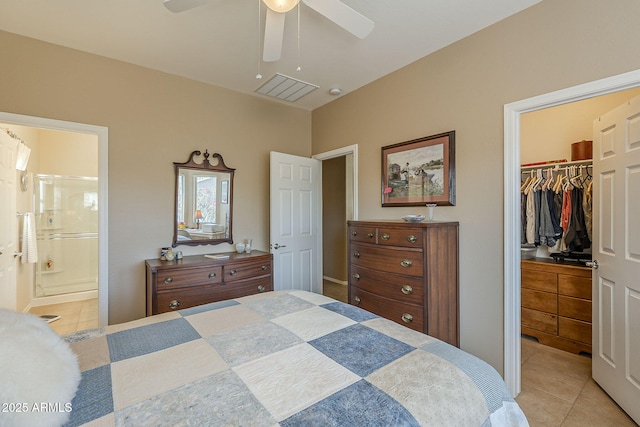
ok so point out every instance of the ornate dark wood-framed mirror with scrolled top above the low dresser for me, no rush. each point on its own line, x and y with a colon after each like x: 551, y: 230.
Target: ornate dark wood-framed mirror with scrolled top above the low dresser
x: 204, y: 201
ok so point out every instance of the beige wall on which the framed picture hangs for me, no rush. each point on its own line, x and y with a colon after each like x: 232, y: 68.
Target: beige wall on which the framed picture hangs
x: 553, y: 45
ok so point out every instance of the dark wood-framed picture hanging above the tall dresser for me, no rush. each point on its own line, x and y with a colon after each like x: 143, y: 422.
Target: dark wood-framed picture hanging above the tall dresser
x: 420, y: 171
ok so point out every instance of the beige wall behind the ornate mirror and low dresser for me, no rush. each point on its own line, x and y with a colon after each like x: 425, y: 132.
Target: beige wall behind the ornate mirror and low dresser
x: 154, y: 119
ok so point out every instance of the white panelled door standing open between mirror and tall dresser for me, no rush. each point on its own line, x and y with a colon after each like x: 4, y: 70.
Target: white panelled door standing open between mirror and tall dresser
x: 295, y: 225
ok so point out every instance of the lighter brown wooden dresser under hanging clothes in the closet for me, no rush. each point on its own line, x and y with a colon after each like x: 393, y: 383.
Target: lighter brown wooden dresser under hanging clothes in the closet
x: 556, y: 304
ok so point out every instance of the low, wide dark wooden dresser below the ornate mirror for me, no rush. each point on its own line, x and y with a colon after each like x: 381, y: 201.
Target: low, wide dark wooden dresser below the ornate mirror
x: 196, y: 280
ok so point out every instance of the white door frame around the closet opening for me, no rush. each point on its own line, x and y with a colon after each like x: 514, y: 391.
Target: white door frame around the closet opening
x: 512, y: 113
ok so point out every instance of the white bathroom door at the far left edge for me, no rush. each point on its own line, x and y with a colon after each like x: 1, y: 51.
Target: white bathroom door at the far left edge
x: 8, y: 221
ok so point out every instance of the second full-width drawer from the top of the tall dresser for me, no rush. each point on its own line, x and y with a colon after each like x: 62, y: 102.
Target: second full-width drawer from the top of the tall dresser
x: 402, y: 288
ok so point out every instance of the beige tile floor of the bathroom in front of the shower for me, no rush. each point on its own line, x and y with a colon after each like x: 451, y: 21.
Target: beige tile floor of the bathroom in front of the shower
x: 75, y: 316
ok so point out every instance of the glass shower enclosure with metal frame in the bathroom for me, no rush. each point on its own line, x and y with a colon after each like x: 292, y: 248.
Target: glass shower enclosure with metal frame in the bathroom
x: 66, y: 211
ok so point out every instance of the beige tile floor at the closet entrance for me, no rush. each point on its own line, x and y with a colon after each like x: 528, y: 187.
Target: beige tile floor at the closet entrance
x: 557, y: 390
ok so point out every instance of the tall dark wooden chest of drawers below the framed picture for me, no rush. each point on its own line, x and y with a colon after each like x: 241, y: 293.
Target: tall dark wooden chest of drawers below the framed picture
x: 408, y: 273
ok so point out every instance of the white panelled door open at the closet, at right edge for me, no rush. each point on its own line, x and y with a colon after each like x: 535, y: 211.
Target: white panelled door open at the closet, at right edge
x: 616, y: 231
